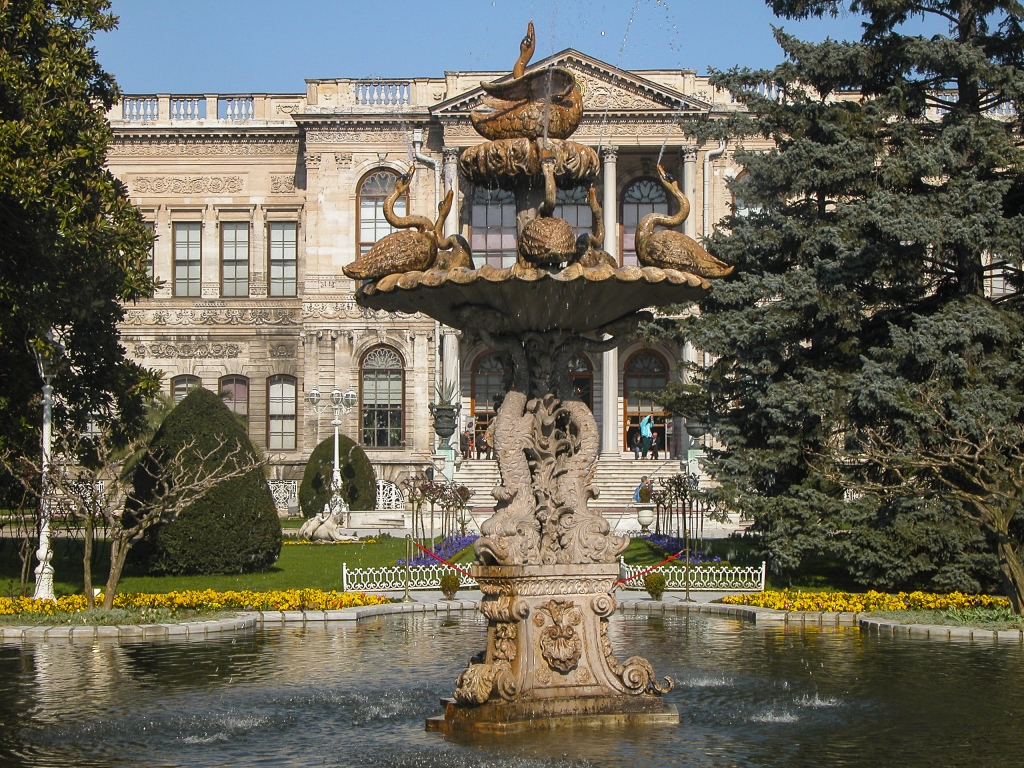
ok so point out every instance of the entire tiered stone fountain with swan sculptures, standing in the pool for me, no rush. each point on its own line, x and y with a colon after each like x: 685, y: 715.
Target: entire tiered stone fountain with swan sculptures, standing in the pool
x: 546, y: 564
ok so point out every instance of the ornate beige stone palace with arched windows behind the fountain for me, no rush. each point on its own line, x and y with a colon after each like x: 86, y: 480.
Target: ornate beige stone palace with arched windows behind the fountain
x: 258, y: 201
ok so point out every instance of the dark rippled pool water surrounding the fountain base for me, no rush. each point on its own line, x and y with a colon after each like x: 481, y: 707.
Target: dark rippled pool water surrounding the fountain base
x: 358, y: 696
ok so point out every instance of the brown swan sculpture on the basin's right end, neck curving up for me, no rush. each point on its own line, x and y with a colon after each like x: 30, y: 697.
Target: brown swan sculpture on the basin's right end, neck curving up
x: 669, y: 249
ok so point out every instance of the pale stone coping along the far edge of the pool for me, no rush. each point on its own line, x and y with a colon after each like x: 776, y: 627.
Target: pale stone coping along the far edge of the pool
x: 247, y: 621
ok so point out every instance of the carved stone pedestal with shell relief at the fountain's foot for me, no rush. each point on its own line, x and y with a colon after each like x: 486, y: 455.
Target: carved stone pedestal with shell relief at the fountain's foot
x: 549, y: 661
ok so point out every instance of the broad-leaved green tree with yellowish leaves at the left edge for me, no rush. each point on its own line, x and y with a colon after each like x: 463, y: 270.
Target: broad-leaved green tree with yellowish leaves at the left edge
x: 73, y: 248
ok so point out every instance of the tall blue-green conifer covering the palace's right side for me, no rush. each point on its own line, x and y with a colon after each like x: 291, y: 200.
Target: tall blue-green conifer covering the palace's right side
x: 866, y: 257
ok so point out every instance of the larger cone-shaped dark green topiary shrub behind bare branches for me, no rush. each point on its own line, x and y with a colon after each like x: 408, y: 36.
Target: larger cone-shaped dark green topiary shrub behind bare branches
x: 234, y: 528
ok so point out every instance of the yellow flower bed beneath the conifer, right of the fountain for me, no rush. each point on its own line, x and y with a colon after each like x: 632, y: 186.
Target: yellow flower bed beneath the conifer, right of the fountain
x: 860, y: 603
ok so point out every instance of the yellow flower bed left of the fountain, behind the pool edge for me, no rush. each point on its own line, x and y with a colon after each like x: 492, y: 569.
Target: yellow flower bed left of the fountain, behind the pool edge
x: 205, y: 600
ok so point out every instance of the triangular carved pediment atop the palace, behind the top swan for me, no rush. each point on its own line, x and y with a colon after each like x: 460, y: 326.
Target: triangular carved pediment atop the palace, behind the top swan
x: 606, y: 89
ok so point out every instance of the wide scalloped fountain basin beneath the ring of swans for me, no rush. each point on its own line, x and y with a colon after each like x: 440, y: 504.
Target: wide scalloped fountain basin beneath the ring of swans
x: 578, y: 300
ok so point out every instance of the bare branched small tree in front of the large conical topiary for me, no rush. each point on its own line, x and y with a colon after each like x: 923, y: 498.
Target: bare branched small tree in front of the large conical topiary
x: 92, y: 478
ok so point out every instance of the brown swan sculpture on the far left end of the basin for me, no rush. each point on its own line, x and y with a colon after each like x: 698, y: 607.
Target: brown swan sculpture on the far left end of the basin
x: 415, y: 248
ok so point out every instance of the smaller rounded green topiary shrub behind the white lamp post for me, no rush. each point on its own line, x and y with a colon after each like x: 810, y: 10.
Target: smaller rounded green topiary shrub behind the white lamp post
x: 359, y: 485
